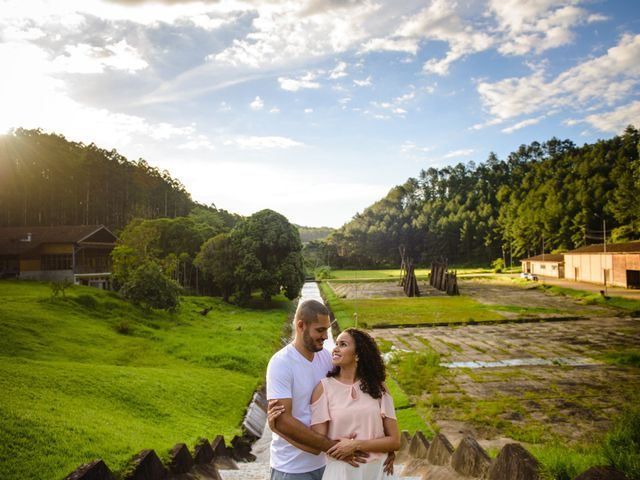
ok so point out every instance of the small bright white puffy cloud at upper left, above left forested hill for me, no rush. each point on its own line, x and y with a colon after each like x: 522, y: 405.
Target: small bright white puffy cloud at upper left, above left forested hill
x: 84, y: 58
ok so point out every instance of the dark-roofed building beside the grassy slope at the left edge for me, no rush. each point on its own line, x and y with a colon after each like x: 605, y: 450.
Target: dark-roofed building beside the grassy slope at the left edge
x: 78, y: 253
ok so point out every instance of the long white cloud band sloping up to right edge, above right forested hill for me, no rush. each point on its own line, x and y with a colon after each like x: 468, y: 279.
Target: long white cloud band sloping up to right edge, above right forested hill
x: 596, y: 83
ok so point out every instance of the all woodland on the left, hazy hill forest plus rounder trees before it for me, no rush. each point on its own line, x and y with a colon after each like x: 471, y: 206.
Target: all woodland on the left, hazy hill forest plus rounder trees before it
x: 168, y: 244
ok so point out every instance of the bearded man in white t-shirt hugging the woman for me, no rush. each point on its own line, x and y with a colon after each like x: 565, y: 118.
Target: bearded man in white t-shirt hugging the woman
x: 292, y: 374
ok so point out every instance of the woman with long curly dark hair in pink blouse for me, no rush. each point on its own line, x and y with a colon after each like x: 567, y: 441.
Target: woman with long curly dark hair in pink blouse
x: 353, y: 405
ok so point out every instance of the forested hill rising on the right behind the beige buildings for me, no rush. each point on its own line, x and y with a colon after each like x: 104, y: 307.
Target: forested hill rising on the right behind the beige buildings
x: 554, y: 193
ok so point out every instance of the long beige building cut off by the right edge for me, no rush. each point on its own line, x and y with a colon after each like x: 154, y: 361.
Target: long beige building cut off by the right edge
x: 616, y: 264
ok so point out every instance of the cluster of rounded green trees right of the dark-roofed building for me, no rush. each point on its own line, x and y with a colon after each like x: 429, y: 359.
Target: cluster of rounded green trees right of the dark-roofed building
x: 157, y: 259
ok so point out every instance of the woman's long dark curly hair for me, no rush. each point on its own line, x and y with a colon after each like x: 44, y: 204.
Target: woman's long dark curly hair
x: 370, y: 367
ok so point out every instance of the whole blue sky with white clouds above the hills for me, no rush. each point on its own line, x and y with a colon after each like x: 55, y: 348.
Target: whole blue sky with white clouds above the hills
x: 317, y: 108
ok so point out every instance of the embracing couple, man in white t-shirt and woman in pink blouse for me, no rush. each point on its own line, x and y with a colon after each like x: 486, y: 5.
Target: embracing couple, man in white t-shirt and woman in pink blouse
x: 331, y: 413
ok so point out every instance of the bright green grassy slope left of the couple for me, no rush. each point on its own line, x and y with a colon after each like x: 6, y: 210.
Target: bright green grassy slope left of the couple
x: 75, y: 389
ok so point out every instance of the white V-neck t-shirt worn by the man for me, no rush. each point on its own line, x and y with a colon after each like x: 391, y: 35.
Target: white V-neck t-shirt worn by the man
x: 291, y: 375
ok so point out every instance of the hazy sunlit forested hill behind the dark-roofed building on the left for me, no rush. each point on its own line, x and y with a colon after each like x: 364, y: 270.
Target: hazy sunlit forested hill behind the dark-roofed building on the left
x: 47, y: 180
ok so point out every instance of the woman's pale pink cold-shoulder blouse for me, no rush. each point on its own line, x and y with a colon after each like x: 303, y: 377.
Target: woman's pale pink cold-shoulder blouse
x: 351, y: 411
